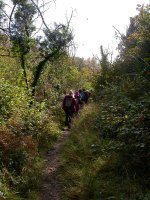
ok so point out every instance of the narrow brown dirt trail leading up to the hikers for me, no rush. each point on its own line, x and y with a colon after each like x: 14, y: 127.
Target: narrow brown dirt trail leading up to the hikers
x: 50, y: 185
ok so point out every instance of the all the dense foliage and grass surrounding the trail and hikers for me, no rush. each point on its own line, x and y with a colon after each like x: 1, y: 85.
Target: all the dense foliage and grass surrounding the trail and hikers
x: 108, y: 150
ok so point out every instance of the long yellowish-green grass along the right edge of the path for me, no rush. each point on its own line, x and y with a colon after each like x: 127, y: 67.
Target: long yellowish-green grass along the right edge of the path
x: 89, y: 171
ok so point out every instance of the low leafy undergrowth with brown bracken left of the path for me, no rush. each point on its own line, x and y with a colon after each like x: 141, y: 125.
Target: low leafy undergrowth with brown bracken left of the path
x: 26, y: 130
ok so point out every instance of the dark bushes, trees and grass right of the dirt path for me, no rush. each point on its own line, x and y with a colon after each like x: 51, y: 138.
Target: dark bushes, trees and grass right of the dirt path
x: 109, y: 147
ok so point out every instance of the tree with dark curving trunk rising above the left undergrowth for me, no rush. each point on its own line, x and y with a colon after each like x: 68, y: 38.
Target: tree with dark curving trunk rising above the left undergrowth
x: 21, y: 32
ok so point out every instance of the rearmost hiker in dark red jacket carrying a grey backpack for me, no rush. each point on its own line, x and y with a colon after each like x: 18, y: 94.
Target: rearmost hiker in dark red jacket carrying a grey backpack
x: 69, y: 106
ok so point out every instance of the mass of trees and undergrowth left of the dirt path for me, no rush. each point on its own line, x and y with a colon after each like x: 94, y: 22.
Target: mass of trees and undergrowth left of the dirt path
x: 35, y: 73
